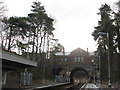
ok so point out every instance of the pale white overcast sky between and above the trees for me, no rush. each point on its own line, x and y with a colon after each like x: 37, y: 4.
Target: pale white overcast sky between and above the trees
x: 75, y: 19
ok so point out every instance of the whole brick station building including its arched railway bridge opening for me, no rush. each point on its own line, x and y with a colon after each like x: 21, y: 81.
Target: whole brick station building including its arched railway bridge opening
x: 76, y: 65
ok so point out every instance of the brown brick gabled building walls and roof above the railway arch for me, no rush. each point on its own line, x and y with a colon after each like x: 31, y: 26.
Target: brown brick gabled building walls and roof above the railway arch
x: 78, y: 58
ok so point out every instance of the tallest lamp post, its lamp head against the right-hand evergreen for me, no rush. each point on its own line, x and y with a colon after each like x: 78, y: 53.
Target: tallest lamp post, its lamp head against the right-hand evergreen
x: 109, y: 76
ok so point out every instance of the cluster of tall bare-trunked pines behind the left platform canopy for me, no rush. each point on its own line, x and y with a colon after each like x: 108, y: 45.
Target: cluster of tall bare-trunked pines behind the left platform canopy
x: 32, y: 34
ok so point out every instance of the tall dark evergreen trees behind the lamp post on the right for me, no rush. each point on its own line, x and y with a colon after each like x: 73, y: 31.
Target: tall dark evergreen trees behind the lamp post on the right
x: 107, y: 25
